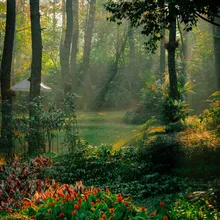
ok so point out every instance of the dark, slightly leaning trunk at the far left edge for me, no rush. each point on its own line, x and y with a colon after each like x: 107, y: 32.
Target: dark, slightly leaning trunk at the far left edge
x: 6, y: 93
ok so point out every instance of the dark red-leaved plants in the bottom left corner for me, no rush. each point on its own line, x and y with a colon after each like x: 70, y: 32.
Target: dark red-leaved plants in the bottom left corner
x: 19, y: 181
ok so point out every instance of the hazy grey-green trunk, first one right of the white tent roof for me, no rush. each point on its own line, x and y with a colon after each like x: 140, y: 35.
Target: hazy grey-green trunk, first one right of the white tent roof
x: 66, y: 49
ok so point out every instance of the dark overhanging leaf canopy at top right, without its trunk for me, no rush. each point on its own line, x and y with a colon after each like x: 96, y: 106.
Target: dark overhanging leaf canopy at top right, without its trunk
x: 153, y: 16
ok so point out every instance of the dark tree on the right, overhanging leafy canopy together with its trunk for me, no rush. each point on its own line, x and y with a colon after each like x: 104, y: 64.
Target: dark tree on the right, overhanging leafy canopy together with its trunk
x: 153, y: 17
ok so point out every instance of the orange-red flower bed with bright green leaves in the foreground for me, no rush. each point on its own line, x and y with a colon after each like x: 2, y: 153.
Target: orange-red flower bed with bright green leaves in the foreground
x: 70, y: 202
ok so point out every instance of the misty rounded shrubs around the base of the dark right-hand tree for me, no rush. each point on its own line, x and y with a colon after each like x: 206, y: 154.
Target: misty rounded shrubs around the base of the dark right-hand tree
x: 156, y: 102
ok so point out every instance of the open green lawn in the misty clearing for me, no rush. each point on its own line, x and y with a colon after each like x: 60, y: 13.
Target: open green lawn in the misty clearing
x: 107, y: 128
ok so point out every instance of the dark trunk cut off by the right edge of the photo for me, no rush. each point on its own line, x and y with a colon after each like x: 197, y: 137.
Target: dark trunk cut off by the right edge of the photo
x: 216, y: 35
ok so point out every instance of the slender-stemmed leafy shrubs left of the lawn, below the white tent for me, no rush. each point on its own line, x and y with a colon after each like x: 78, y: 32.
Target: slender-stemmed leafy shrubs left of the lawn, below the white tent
x: 52, y: 119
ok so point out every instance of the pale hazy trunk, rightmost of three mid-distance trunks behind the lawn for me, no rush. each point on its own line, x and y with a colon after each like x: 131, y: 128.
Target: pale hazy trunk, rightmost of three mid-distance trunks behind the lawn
x: 86, y: 54
